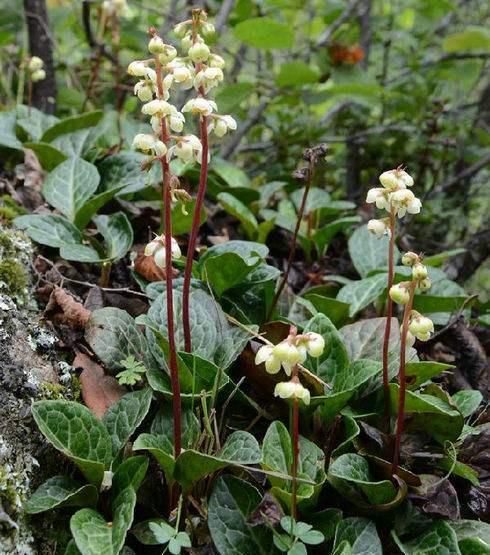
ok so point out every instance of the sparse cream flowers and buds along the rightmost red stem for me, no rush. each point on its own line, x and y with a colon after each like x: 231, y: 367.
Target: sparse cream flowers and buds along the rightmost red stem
x: 419, y: 326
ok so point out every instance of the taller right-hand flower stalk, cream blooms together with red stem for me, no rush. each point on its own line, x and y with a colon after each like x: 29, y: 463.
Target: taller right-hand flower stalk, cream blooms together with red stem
x: 397, y: 200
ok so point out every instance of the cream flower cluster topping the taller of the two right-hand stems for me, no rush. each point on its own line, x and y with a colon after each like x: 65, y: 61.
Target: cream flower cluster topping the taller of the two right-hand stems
x: 394, y: 196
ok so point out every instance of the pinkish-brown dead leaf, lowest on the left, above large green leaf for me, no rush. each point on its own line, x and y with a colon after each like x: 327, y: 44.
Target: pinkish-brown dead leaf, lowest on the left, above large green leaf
x: 99, y: 391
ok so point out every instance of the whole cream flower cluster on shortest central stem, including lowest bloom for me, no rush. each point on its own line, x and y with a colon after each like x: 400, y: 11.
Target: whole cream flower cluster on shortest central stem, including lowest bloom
x: 288, y: 354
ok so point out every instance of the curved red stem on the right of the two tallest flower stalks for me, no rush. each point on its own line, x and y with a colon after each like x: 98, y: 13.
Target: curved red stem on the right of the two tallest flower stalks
x: 196, y: 218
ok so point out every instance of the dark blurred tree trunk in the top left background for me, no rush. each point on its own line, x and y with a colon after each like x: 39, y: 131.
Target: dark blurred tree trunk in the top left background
x: 41, y: 44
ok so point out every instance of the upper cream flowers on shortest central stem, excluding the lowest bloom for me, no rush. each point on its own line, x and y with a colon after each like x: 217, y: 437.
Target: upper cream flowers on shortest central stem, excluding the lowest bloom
x: 290, y: 352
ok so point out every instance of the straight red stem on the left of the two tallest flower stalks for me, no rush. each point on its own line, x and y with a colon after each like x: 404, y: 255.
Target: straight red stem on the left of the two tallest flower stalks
x: 167, y: 203
